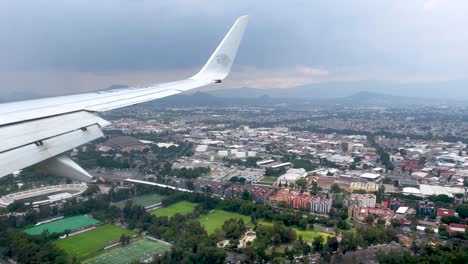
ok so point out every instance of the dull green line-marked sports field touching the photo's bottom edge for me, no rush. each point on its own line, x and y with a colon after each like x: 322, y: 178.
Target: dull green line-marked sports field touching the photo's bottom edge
x: 139, y: 250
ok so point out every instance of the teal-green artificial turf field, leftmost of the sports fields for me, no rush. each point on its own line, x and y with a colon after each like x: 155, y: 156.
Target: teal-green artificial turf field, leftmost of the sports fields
x: 60, y: 226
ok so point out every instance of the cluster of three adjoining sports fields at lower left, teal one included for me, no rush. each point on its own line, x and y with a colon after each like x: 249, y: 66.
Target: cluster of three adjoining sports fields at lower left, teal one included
x: 91, y: 241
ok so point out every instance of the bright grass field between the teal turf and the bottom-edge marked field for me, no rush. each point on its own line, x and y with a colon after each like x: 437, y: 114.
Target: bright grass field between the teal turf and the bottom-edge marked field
x: 88, y: 243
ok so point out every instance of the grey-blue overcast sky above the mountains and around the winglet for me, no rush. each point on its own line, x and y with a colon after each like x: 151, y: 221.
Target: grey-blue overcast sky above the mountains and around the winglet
x: 51, y: 47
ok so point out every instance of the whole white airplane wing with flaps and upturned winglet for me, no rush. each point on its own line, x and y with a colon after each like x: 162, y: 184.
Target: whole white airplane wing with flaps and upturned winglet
x: 37, y: 132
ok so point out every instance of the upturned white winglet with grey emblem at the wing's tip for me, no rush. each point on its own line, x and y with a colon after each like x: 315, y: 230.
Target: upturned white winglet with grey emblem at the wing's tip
x: 219, y: 64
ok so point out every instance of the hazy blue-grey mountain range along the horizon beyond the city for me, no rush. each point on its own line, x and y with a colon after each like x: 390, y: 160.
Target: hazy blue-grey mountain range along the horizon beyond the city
x: 356, y: 92
